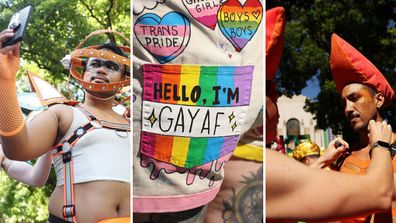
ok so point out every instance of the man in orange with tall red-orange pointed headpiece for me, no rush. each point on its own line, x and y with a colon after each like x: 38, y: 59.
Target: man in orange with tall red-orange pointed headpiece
x: 365, y: 93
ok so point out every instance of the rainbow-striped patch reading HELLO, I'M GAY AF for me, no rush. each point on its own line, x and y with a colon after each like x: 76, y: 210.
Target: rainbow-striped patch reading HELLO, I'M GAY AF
x: 193, y: 114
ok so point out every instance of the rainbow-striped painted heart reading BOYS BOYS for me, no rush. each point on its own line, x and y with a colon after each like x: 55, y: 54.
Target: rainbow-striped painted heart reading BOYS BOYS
x: 239, y: 23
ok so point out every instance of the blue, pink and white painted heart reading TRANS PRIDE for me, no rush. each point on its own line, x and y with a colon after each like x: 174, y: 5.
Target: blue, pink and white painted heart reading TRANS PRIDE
x: 165, y: 38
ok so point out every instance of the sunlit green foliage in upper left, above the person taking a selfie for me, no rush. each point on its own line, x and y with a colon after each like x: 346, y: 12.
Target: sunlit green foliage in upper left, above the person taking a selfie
x: 57, y: 26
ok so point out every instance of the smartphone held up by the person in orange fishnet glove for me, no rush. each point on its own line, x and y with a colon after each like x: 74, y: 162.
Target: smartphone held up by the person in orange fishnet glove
x: 18, y: 23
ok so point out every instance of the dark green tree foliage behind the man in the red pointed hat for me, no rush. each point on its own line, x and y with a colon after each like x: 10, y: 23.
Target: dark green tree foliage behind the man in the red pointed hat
x: 367, y: 25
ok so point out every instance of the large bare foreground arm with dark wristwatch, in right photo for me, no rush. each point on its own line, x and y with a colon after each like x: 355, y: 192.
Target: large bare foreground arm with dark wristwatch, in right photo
x: 314, y: 194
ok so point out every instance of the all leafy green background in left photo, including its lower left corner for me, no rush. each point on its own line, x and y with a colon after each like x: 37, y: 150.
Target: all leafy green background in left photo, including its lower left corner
x: 55, y: 29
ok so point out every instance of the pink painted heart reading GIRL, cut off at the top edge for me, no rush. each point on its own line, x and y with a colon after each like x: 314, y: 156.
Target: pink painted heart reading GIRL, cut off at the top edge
x: 204, y: 11
